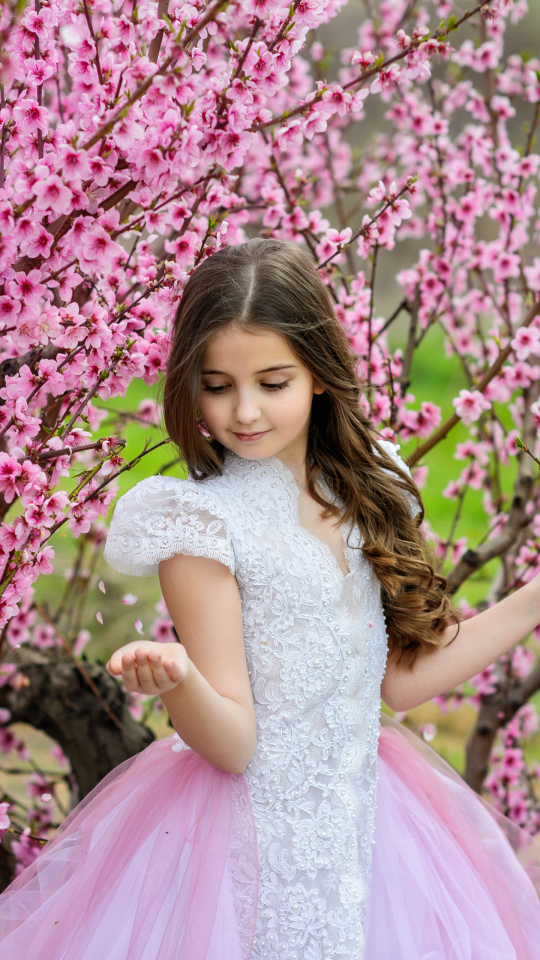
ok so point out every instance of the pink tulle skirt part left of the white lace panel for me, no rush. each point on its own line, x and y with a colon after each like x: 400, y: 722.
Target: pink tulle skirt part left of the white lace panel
x: 158, y: 862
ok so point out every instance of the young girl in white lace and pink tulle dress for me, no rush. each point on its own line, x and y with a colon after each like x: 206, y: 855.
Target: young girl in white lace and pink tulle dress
x: 293, y: 566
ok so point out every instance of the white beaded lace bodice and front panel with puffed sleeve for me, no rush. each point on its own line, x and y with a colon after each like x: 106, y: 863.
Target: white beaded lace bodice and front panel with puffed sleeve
x: 316, y: 650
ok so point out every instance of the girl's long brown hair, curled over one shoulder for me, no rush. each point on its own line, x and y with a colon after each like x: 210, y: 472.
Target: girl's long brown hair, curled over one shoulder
x: 274, y: 284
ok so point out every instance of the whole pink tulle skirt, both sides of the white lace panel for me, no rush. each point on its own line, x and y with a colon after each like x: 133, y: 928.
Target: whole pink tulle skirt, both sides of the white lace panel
x: 159, y: 862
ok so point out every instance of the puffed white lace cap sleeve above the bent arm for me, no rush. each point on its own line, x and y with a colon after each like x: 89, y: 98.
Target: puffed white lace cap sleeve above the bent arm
x: 162, y: 516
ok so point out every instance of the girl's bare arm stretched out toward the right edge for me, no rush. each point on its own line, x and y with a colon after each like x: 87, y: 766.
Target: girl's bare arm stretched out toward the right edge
x: 480, y: 641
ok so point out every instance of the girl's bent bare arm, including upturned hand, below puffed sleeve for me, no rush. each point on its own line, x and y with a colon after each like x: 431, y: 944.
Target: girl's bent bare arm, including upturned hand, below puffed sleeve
x: 204, y: 684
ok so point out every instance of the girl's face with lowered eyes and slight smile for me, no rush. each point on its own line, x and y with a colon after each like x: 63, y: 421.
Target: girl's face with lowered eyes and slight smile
x: 256, y: 395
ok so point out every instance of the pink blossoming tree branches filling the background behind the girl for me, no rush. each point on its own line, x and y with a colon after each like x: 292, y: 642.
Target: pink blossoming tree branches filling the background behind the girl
x: 137, y: 139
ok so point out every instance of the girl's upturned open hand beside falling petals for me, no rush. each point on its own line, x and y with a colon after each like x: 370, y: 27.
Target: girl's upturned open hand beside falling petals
x: 151, y: 668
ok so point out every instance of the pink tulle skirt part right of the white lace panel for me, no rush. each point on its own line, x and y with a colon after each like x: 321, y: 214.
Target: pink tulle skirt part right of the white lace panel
x: 446, y: 883
